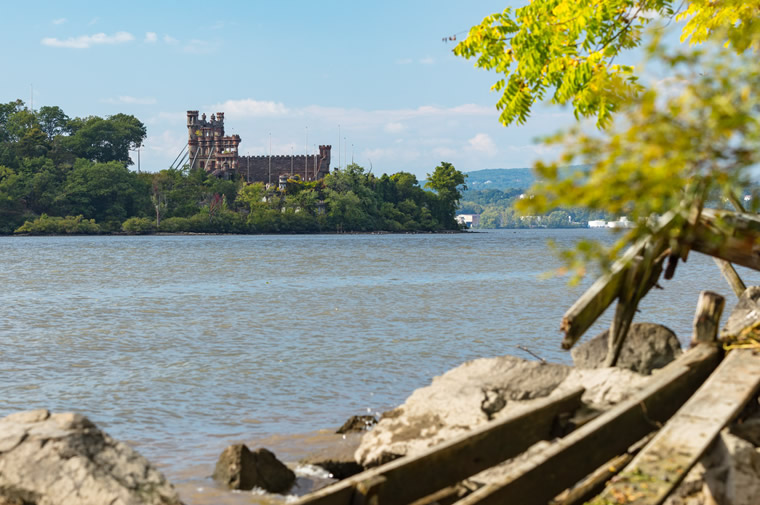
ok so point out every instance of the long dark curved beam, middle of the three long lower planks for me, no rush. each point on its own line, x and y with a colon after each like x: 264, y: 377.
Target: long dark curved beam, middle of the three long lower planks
x: 571, y: 458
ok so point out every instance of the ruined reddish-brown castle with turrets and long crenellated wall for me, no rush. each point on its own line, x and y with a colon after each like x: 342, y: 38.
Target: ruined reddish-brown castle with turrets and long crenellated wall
x: 216, y: 153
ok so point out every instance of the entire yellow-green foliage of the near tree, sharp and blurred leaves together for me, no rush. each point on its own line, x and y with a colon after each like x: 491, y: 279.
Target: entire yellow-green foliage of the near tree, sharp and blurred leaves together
x: 663, y: 150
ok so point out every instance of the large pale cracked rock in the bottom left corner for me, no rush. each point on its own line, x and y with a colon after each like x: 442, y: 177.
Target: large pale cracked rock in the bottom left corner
x: 63, y: 459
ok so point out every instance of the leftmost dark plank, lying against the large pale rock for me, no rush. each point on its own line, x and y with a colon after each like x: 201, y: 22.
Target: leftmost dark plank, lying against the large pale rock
x: 407, y: 479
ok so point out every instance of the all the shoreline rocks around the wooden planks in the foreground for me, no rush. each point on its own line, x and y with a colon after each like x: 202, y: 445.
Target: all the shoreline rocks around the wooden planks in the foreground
x: 51, y: 459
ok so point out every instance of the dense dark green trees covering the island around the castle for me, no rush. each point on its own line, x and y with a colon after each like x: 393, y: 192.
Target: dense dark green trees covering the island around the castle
x: 71, y: 175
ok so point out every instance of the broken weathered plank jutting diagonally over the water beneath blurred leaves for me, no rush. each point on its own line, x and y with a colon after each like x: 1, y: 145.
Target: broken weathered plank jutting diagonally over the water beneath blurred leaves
x: 582, y: 314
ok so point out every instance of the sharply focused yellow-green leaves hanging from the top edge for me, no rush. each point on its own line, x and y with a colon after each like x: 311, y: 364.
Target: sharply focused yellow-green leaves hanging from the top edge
x: 564, y: 50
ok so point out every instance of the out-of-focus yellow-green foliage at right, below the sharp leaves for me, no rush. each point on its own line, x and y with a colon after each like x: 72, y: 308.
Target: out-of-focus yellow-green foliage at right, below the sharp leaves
x: 675, y: 147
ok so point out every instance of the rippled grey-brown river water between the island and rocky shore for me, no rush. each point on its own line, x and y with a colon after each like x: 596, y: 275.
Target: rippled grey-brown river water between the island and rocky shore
x: 182, y: 345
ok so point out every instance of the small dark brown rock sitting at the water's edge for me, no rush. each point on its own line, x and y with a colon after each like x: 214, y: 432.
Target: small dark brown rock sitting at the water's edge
x: 240, y: 468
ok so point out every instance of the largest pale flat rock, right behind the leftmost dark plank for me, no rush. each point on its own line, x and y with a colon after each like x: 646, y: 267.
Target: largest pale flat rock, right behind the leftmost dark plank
x: 478, y: 391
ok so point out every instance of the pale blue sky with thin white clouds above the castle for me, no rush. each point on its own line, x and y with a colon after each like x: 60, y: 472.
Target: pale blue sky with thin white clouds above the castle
x: 374, y: 78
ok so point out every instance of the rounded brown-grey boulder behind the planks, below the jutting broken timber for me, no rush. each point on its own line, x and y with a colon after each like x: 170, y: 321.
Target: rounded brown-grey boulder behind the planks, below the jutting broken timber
x: 648, y: 346
